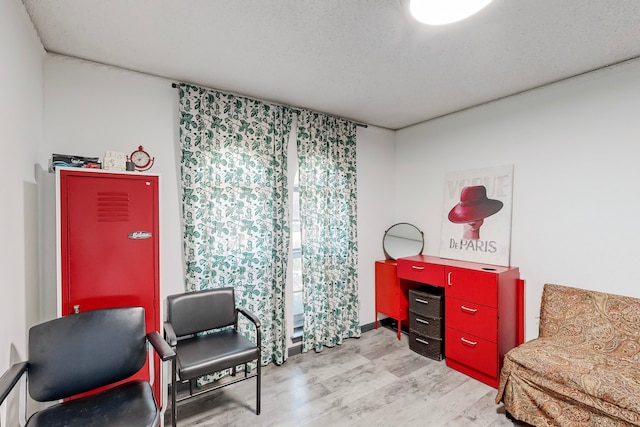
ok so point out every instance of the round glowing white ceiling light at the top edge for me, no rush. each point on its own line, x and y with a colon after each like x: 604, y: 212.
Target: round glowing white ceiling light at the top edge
x: 441, y: 12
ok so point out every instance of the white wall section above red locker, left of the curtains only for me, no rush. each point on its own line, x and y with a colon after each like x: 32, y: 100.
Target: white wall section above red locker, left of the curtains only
x: 91, y: 108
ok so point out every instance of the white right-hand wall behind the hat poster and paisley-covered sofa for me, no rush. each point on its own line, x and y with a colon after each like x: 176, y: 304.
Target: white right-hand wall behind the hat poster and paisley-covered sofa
x: 575, y: 148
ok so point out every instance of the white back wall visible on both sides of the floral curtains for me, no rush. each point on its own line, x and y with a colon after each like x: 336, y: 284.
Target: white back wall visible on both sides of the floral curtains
x: 90, y: 108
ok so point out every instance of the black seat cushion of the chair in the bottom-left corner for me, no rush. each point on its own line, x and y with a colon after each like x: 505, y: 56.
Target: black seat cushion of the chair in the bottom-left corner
x: 129, y: 404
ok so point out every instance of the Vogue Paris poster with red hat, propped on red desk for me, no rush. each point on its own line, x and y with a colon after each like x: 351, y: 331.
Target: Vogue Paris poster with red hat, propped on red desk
x: 476, y: 223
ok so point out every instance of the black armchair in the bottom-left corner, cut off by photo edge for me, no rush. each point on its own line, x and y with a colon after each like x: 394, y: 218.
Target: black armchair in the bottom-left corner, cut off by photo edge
x: 81, y: 352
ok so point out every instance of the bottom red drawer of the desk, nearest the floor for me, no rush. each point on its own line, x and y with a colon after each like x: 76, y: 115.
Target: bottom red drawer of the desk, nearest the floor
x: 472, y: 351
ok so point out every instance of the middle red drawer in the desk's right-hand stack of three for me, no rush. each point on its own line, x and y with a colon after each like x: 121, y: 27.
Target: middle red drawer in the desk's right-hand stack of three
x: 473, y: 318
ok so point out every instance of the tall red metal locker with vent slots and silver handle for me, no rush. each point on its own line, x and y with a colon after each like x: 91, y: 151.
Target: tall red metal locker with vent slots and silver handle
x: 109, y: 245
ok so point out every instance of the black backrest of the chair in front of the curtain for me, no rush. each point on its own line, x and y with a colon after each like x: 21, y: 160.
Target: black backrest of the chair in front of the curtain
x: 199, y: 311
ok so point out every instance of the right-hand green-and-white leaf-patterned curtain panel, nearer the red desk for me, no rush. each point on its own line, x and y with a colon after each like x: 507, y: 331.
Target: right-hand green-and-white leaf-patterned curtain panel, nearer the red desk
x: 328, y: 198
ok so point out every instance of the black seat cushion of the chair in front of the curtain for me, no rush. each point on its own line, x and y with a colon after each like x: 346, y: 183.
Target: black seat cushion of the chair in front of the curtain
x: 196, y: 358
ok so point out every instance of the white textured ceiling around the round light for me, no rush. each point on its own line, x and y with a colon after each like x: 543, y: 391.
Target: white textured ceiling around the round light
x: 366, y: 60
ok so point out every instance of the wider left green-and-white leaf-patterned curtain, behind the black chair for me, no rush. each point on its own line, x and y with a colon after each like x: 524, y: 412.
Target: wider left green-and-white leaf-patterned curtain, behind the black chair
x: 235, y: 205
